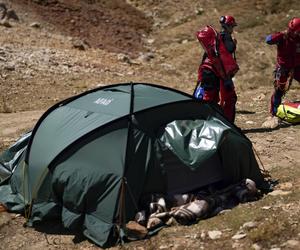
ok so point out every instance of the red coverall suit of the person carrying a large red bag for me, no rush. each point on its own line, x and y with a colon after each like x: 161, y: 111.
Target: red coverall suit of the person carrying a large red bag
x: 217, y: 89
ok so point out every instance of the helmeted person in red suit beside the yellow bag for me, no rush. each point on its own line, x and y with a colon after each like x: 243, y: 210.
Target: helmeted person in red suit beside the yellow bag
x: 287, y: 65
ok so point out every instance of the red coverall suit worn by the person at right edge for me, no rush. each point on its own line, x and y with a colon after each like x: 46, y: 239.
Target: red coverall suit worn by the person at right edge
x: 288, y: 65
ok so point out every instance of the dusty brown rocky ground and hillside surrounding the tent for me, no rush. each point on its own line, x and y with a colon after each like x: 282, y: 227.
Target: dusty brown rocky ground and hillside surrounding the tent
x: 59, y: 48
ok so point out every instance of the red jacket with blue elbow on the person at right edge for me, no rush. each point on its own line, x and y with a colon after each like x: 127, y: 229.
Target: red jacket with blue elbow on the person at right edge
x: 288, y: 49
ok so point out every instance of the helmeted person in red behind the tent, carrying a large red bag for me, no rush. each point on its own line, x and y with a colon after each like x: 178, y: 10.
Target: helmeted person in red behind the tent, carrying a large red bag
x: 213, y: 83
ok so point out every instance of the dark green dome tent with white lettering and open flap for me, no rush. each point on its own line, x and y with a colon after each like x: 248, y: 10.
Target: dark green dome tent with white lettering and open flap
x: 90, y: 158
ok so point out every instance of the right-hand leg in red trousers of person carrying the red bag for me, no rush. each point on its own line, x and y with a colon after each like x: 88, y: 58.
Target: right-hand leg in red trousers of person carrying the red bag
x: 228, y: 100
